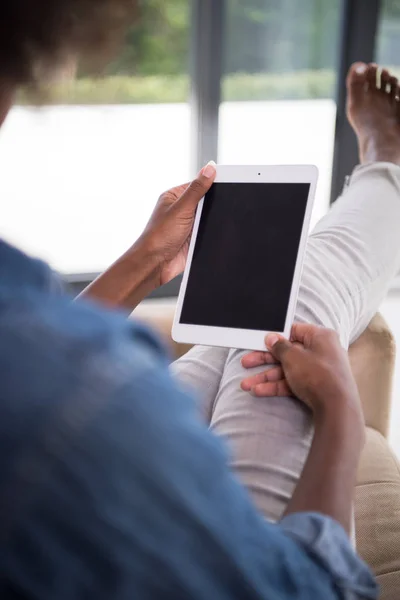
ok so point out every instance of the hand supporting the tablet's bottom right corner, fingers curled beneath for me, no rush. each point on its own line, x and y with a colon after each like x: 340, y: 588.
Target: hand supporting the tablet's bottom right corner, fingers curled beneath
x: 315, y: 367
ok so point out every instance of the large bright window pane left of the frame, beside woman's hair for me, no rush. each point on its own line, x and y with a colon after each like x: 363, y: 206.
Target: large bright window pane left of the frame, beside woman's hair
x: 80, y: 178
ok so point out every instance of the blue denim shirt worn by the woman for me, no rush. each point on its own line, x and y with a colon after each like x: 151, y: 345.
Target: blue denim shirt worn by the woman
x: 111, y: 488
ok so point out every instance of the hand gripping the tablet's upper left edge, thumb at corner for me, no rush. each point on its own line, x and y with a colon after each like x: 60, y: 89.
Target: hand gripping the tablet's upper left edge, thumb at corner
x: 167, y: 235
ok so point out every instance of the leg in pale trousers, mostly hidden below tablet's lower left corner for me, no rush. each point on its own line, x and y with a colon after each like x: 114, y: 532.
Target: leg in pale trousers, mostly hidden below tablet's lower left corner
x: 201, y: 369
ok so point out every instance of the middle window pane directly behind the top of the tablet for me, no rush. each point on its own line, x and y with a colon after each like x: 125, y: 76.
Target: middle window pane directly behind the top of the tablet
x: 279, y: 85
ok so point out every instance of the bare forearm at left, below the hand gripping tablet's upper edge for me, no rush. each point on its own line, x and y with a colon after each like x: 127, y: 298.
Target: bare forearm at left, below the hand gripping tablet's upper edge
x: 127, y: 282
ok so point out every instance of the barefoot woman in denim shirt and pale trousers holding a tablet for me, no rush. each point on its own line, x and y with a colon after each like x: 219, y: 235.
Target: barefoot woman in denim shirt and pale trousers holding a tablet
x: 109, y: 485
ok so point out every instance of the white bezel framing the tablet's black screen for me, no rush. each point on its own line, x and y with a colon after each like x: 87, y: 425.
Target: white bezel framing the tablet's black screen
x: 245, y: 338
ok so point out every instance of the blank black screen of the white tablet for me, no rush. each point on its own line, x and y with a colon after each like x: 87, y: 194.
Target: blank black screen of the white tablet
x: 245, y: 255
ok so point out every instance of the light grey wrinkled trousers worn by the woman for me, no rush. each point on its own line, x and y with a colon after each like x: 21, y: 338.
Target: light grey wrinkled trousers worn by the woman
x: 352, y: 257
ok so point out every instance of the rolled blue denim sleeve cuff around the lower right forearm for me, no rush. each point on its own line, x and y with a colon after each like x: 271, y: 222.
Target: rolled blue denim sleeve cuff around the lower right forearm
x: 325, y: 540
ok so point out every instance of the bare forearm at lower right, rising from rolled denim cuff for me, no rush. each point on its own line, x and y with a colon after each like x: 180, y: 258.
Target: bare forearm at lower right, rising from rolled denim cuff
x: 329, y: 477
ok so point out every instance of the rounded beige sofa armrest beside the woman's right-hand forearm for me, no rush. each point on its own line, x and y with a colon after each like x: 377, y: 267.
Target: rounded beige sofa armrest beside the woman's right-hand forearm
x: 372, y: 359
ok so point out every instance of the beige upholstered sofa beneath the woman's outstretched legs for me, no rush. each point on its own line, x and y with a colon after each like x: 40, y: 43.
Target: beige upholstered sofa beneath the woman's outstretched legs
x: 377, y: 501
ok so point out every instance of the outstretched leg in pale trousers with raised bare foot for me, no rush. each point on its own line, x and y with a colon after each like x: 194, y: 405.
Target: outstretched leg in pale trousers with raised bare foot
x: 352, y: 257
